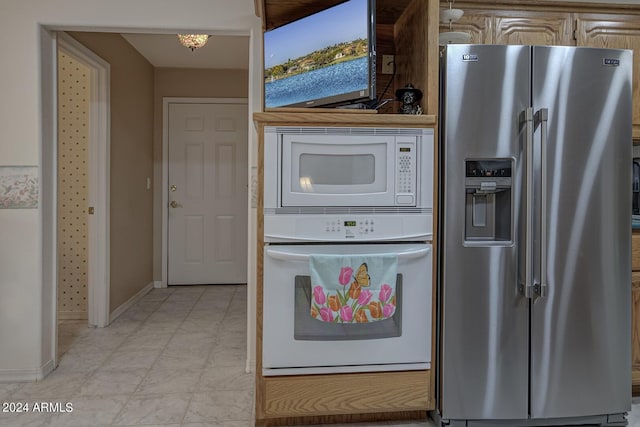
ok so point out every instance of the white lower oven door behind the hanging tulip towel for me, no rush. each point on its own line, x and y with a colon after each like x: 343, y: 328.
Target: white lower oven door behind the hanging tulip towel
x: 293, y: 342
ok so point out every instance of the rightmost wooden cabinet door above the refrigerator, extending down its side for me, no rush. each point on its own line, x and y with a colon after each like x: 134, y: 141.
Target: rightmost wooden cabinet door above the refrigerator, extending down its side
x: 617, y: 32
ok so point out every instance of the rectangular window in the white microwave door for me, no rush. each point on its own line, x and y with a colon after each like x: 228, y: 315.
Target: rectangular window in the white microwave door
x: 336, y: 169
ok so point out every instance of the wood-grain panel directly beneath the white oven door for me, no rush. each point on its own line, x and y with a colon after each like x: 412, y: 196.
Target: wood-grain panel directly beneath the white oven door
x: 345, y: 394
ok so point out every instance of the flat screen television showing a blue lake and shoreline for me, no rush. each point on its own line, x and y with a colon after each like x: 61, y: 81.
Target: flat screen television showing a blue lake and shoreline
x: 327, y: 58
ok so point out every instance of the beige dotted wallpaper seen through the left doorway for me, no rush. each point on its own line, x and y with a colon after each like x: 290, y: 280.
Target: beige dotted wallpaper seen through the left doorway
x: 73, y: 138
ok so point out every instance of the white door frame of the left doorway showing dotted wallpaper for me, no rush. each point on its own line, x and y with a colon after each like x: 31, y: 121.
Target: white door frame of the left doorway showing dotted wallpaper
x: 99, y: 163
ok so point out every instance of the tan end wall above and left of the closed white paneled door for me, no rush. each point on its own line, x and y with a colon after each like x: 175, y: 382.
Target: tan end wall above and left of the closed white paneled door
x: 184, y: 83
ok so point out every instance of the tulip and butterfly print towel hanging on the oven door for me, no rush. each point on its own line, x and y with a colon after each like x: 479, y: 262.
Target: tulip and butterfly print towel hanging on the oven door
x: 353, y: 289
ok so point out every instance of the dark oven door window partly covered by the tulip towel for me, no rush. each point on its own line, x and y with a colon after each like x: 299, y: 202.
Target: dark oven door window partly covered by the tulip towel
x: 306, y: 328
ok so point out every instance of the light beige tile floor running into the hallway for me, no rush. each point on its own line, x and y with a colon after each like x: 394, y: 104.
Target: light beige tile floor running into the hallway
x: 177, y: 358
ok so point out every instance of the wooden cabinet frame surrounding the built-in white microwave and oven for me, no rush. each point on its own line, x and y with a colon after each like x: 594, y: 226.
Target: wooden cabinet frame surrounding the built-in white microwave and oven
x: 327, y: 398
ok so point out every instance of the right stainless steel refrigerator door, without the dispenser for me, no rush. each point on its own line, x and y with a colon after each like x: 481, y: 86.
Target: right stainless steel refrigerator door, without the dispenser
x: 581, y: 351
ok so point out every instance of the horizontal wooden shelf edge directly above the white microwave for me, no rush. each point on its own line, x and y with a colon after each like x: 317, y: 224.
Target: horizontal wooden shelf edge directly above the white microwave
x: 313, y: 118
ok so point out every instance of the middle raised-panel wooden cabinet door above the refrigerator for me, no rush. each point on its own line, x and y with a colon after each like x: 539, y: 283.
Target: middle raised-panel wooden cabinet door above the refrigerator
x: 533, y: 28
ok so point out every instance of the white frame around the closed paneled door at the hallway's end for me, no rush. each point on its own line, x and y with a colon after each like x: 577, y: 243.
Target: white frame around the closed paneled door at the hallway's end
x: 165, y: 168
